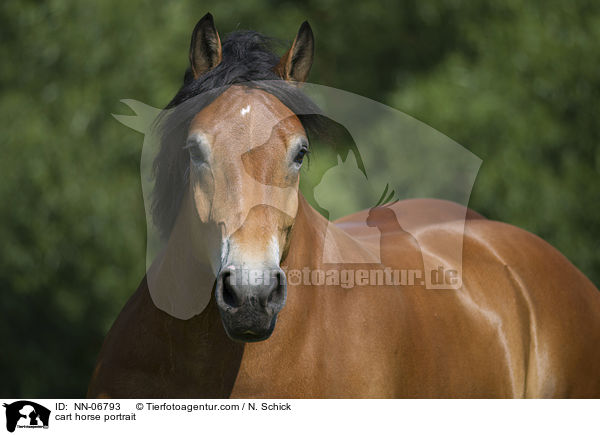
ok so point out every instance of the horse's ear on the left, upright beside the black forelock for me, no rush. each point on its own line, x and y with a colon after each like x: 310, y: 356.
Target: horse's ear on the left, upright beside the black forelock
x: 205, y: 48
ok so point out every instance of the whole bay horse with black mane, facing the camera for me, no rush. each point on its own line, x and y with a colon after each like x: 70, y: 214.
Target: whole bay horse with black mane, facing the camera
x: 524, y: 323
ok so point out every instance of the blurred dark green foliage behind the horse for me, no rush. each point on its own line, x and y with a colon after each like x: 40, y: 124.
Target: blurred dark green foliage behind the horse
x: 516, y: 82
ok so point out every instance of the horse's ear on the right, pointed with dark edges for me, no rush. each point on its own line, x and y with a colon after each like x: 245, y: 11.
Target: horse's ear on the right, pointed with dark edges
x: 295, y: 64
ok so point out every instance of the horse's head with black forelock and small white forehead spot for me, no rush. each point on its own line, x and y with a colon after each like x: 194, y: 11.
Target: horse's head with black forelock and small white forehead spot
x: 236, y: 158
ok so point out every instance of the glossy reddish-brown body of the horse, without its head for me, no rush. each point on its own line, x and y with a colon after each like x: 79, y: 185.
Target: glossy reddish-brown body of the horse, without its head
x: 524, y: 324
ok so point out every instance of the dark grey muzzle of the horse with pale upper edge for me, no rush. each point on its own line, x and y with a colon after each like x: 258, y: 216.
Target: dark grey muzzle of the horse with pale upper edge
x: 249, y: 301
